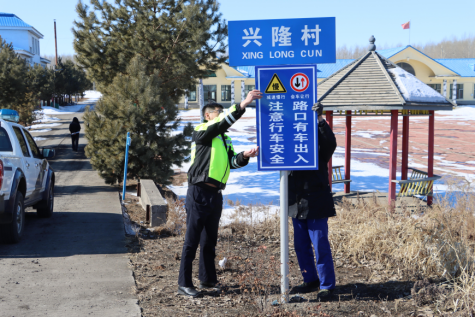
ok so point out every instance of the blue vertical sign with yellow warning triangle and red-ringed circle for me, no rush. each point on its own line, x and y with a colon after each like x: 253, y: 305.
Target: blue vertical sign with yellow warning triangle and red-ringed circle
x: 287, y: 128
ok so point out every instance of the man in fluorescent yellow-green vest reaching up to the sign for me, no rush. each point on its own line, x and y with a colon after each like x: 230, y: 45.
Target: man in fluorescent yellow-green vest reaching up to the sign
x: 212, y: 158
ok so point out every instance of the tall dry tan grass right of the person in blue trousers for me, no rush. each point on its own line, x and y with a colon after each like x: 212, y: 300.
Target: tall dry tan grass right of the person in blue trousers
x: 437, y: 244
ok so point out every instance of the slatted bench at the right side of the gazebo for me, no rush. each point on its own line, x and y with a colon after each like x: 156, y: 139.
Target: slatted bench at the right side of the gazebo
x: 418, y: 184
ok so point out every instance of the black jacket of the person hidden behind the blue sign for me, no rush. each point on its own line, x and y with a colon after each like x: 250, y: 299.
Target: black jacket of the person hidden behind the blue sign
x: 310, y: 196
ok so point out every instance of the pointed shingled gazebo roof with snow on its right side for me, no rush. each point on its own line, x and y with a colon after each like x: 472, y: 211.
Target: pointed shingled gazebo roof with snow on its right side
x: 374, y: 83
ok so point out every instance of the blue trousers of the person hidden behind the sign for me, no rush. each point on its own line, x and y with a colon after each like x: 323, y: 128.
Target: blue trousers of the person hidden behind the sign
x: 306, y: 233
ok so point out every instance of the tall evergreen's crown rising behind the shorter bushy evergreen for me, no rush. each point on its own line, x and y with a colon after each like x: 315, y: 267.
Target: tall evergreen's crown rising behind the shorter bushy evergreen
x: 181, y: 39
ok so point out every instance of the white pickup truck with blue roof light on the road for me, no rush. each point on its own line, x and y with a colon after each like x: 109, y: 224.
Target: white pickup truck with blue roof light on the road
x: 26, y: 179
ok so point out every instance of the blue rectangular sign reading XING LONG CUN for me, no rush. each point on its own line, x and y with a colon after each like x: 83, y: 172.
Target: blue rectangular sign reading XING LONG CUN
x: 282, y: 41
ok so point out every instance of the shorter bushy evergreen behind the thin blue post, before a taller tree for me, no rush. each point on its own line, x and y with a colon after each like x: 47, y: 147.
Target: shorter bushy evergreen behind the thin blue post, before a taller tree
x: 135, y: 102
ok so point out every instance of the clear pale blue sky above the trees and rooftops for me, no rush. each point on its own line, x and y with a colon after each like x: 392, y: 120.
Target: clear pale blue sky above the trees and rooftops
x: 356, y: 20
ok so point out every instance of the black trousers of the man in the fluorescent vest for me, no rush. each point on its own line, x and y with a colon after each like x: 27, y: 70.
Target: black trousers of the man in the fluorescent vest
x: 203, y: 211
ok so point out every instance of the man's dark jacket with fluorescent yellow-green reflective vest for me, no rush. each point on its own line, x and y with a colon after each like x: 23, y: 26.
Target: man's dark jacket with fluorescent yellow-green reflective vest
x: 212, y: 151
